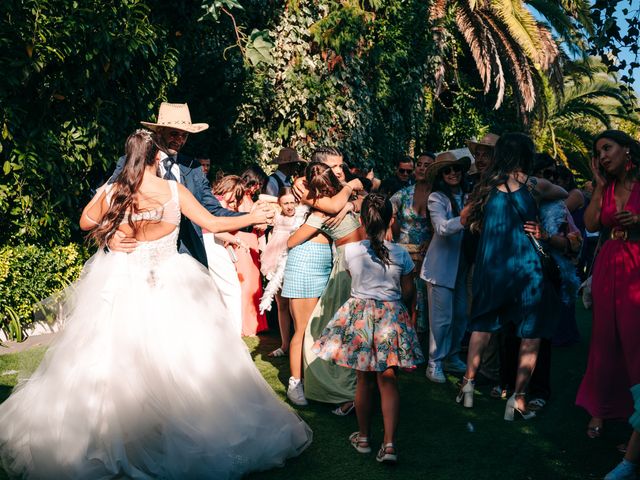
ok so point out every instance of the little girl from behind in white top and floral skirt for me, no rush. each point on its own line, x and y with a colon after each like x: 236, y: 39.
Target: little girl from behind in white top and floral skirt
x: 370, y: 333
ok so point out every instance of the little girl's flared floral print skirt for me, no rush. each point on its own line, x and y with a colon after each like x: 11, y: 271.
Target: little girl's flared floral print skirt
x: 370, y: 336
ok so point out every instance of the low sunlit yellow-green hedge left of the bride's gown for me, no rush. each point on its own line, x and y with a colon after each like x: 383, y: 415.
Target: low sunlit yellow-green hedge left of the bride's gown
x: 30, y: 273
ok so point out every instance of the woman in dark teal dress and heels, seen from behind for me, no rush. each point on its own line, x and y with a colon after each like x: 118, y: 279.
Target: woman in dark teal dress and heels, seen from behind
x: 508, y: 282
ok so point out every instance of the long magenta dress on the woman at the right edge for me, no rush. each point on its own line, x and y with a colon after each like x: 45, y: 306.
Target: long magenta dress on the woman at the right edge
x: 614, y: 357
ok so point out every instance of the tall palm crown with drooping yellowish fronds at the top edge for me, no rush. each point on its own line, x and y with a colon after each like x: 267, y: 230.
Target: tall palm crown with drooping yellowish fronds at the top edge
x: 509, y: 46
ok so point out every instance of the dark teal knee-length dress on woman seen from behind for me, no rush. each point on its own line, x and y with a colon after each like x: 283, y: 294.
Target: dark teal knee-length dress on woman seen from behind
x: 508, y: 284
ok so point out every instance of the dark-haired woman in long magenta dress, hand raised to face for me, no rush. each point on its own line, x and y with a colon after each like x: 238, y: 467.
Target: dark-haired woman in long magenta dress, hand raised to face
x: 613, y: 367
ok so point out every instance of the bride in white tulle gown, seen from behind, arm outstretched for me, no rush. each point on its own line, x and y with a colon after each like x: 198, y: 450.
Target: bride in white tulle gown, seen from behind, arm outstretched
x: 144, y: 381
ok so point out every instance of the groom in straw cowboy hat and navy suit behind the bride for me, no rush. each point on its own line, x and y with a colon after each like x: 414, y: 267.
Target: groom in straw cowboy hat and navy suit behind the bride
x: 173, y: 127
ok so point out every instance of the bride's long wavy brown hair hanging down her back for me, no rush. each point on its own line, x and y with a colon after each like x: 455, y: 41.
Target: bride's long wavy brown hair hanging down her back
x: 141, y: 149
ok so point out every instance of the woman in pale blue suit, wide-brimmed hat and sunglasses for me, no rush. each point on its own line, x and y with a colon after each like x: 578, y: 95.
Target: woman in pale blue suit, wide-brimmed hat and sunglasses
x: 444, y: 268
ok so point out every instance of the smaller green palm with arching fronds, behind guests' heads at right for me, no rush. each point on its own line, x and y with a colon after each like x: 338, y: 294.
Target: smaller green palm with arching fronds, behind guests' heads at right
x: 591, y: 102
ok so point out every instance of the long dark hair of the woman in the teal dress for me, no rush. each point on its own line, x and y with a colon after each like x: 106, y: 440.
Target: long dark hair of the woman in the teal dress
x: 513, y: 152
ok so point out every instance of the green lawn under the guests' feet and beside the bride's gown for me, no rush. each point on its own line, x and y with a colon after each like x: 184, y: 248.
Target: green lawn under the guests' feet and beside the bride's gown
x: 434, y: 438
